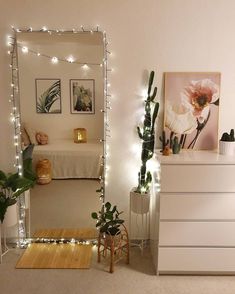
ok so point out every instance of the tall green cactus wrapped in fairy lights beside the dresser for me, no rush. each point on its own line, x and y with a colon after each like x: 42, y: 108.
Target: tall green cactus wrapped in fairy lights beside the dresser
x: 147, y: 135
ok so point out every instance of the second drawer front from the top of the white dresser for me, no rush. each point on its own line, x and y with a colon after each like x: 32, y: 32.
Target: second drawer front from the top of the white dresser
x: 214, y: 206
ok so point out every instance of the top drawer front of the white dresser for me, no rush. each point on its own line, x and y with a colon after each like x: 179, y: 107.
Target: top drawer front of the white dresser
x: 197, y: 178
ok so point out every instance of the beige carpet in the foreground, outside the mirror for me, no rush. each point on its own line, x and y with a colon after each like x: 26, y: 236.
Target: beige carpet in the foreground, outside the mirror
x: 138, y: 278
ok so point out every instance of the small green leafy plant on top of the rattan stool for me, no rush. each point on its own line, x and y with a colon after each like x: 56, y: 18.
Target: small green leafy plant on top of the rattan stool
x: 108, y: 220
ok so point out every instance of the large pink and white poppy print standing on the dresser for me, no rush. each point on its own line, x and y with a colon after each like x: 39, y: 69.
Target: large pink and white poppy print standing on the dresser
x: 192, y: 109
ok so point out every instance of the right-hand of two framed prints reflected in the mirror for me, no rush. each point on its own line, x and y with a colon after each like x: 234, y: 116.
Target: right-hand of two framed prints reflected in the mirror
x: 82, y: 96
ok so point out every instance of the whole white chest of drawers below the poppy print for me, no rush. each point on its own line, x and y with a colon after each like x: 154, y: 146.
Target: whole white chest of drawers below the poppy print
x: 197, y: 213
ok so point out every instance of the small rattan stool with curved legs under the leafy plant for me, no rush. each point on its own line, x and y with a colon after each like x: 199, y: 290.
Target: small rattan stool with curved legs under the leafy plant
x: 117, y: 245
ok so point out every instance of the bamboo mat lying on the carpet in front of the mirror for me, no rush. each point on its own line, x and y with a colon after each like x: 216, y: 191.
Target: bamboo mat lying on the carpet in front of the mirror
x: 56, y: 256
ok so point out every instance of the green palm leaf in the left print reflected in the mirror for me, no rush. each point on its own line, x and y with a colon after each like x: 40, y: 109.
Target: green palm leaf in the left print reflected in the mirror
x: 48, y: 98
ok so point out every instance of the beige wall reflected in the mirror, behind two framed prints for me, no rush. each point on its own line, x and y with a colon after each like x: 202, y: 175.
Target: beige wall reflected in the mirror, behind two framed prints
x: 31, y: 67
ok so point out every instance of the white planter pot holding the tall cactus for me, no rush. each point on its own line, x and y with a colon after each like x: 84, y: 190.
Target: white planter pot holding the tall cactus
x: 140, y: 203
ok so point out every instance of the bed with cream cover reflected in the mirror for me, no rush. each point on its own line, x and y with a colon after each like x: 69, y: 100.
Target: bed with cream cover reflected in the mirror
x: 71, y: 160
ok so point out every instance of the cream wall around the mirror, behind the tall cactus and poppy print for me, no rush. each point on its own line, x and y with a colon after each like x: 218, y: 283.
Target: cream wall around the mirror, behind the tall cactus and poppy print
x: 163, y: 35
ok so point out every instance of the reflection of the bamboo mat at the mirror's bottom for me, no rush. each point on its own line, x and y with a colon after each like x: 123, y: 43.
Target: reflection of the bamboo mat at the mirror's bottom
x: 86, y: 233
